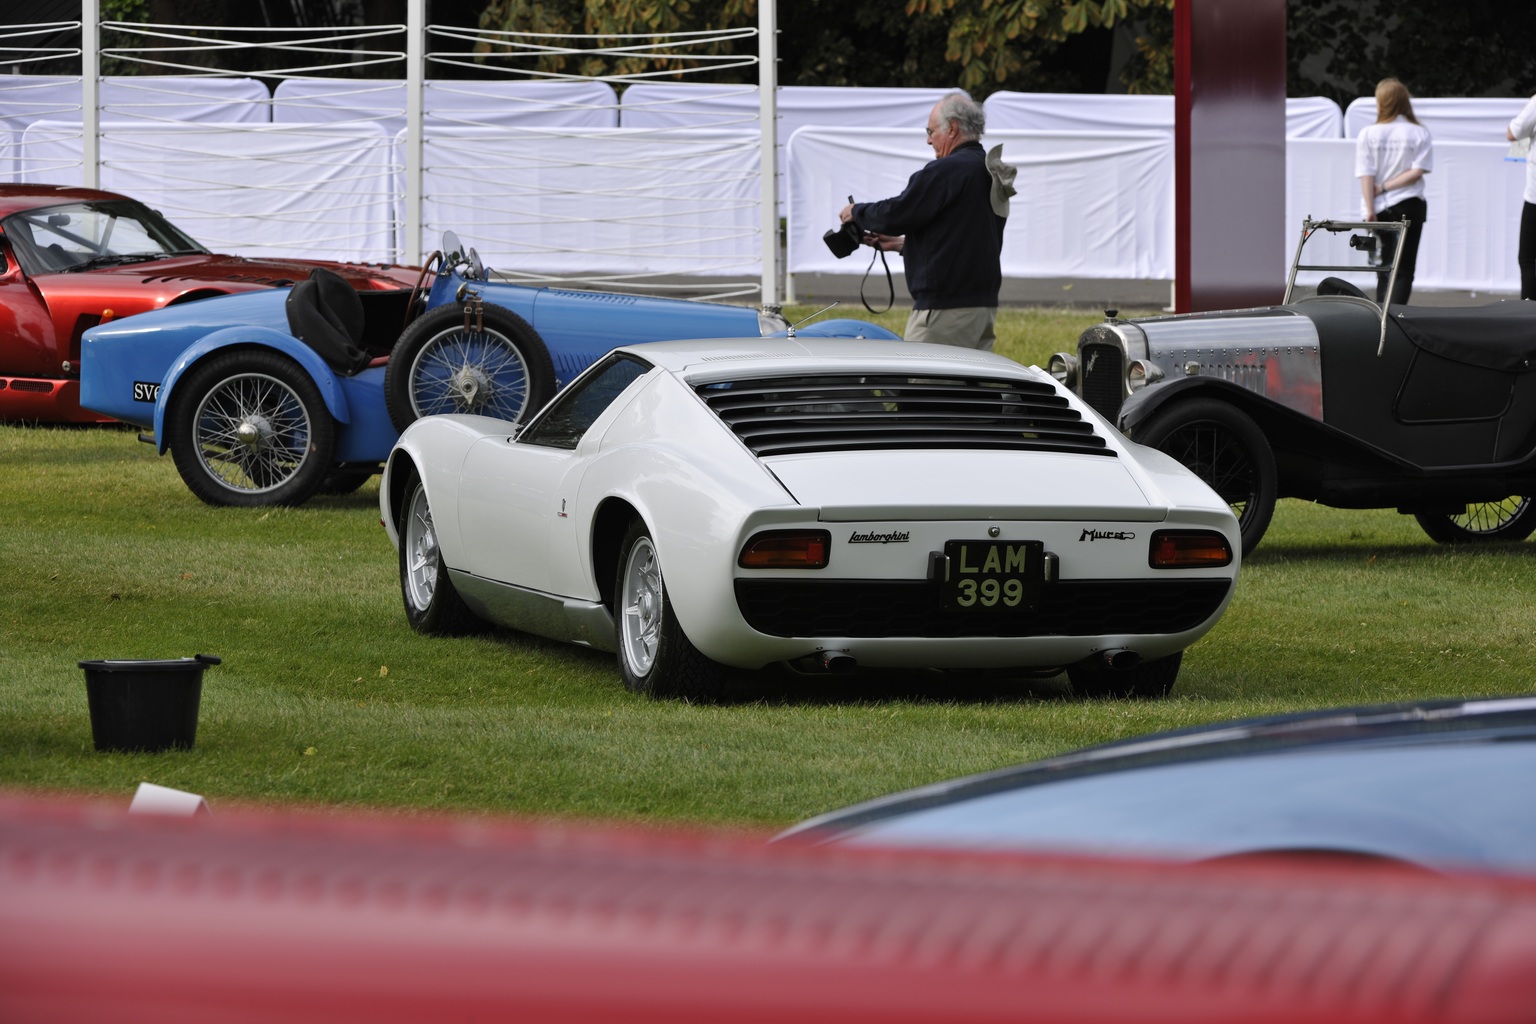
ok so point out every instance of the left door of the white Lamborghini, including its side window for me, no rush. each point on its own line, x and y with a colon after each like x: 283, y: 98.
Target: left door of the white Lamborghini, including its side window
x: 517, y: 500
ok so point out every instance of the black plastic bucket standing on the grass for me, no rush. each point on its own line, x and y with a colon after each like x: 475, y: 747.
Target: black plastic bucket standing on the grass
x: 145, y: 705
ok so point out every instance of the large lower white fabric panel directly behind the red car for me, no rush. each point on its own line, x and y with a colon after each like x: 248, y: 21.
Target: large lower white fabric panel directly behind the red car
x: 257, y: 191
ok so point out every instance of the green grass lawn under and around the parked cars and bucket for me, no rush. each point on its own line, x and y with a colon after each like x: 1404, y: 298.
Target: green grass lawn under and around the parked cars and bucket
x: 328, y: 698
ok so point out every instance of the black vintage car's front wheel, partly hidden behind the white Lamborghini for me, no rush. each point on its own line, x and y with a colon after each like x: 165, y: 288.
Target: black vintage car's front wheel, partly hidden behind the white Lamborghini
x: 1225, y: 449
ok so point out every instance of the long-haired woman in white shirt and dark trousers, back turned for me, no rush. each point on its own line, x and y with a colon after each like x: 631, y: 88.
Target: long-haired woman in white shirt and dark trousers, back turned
x: 1391, y: 162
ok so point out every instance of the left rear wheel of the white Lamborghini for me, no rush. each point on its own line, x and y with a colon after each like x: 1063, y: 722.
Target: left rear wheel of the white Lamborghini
x: 655, y: 655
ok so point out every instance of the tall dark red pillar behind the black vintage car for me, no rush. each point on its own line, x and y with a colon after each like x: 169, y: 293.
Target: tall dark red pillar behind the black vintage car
x: 1230, y: 153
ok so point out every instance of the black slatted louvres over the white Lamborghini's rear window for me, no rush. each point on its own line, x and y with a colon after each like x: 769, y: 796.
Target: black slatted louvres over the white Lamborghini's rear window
x: 873, y: 412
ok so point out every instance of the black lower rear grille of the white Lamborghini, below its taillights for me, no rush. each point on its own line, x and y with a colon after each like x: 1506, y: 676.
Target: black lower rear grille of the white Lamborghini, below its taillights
x: 910, y: 609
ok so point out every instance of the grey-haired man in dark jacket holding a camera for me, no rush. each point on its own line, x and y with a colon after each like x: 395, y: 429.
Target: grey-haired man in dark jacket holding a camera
x: 948, y: 226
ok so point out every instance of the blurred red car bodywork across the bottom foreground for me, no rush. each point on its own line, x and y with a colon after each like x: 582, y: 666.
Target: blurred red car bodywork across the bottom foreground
x: 333, y: 919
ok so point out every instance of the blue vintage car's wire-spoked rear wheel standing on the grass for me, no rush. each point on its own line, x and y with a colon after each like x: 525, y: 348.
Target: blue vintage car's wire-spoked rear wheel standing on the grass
x: 250, y: 429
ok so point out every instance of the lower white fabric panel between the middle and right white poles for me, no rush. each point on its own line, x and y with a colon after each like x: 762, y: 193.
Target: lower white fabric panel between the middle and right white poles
x: 597, y: 200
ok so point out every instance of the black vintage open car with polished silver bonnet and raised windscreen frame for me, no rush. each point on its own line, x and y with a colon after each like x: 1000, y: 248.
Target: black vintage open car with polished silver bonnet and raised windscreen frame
x: 1332, y: 398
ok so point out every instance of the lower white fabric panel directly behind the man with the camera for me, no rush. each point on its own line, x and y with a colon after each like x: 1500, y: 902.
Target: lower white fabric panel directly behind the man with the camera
x: 1088, y: 205
